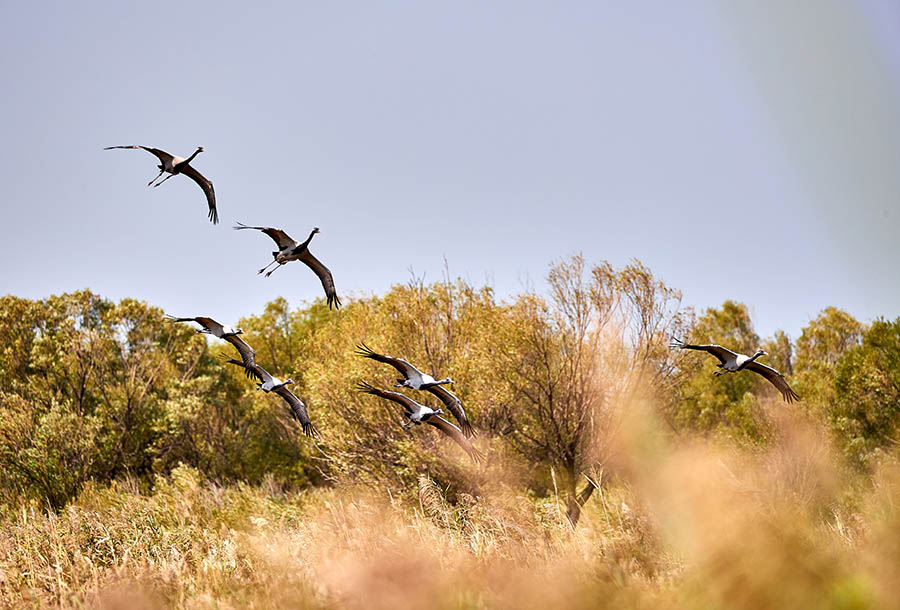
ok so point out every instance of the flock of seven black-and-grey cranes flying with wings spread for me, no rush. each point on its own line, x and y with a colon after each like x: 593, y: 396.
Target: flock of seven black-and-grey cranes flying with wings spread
x: 417, y: 413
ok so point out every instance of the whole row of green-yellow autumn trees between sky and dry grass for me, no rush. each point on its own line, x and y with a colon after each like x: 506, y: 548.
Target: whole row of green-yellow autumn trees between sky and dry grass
x: 96, y: 390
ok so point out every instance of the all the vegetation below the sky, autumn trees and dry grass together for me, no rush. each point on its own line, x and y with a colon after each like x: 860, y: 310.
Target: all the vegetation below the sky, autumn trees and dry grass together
x: 131, y: 456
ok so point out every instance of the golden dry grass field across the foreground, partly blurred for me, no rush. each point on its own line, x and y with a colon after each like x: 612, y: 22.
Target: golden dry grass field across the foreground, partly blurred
x: 692, y: 525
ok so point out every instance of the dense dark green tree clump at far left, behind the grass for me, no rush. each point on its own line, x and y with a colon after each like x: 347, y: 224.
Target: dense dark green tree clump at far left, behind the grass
x: 94, y: 390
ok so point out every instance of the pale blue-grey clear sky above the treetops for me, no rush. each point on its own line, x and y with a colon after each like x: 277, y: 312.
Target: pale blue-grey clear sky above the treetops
x: 744, y: 150
